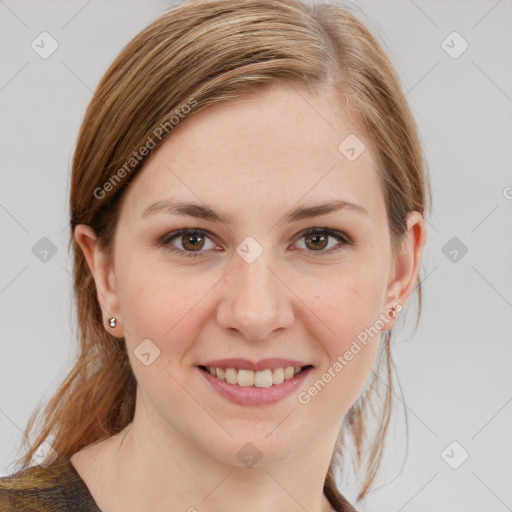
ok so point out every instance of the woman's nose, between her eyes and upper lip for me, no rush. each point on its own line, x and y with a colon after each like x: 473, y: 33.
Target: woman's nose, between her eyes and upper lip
x: 256, y: 301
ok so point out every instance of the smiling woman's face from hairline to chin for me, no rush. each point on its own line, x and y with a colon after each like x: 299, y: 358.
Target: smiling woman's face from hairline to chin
x: 254, y: 286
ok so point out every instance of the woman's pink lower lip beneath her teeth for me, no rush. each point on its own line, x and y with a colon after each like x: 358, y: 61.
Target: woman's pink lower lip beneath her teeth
x: 250, y: 395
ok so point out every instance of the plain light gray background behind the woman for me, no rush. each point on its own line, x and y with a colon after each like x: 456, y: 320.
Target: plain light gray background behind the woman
x: 455, y: 370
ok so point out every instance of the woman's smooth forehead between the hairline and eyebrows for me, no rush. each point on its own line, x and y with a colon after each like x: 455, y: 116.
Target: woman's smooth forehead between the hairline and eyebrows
x: 275, y: 147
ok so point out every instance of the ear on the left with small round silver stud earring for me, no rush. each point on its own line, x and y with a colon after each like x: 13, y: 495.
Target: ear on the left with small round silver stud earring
x: 104, y: 278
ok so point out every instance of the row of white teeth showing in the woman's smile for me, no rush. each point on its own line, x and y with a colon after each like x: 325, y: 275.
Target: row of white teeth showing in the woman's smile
x: 259, y: 379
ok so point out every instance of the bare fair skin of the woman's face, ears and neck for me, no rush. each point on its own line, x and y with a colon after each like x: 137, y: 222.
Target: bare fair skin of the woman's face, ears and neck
x: 277, y: 150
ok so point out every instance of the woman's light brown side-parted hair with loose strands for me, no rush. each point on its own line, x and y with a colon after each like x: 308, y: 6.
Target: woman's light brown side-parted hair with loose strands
x: 202, y: 53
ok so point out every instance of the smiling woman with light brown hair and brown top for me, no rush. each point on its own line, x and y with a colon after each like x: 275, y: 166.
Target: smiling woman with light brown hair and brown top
x: 247, y: 214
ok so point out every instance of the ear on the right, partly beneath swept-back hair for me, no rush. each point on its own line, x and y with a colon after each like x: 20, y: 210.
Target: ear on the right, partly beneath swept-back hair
x: 404, y: 268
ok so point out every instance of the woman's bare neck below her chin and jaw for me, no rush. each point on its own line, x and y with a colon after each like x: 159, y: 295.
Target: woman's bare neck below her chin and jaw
x: 163, y: 471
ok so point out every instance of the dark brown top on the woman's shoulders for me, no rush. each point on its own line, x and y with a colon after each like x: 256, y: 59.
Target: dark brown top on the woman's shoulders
x: 59, y: 488
